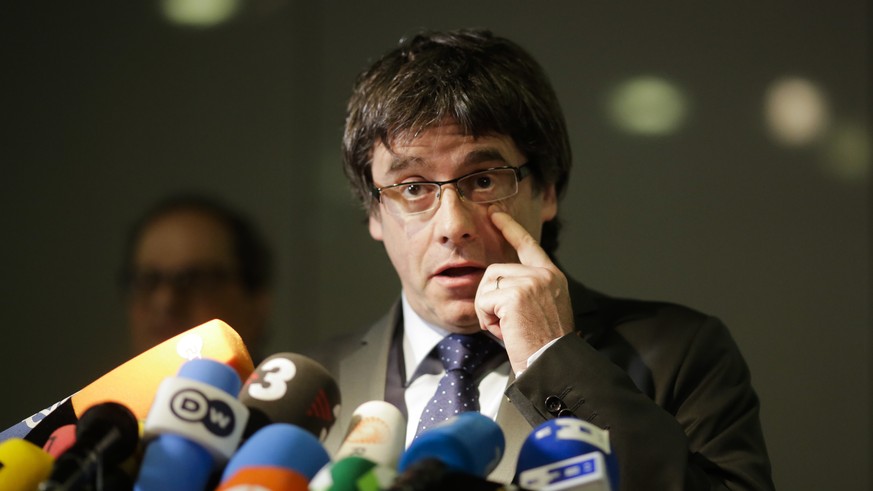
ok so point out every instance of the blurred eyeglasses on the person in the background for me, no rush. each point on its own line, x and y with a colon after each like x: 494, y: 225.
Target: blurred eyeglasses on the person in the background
x: 196, y: 280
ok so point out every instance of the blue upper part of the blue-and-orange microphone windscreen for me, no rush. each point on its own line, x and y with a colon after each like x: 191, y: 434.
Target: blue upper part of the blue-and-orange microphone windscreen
x: 279, y: 445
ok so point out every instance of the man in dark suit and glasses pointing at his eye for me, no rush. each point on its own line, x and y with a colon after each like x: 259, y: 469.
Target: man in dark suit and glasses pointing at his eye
x: 456, y: 144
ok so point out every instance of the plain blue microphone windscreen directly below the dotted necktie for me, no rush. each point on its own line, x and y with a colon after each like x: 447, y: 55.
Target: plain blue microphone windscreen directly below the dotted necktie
x: 469, y: 442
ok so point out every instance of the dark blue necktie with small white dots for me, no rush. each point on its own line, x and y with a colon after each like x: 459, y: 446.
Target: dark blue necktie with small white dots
x: 461, y: 355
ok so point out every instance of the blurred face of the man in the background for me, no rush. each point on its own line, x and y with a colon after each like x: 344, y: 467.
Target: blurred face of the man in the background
x: 185, y: 274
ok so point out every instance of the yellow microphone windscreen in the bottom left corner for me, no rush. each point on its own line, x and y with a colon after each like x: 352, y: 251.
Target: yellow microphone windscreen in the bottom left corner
x: 23, y: 465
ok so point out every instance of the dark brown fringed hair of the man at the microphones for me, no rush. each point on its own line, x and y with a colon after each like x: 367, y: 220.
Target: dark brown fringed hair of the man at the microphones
x: 484, y: 83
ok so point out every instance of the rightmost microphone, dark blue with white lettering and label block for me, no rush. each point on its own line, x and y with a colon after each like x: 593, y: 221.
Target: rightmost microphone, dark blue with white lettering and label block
x: 567, y: 454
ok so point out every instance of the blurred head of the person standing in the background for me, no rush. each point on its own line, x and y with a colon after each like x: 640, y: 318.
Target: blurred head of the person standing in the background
x: 190, y: 259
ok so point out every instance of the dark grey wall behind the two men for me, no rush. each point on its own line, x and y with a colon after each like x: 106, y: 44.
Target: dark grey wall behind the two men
x: 106, y: 107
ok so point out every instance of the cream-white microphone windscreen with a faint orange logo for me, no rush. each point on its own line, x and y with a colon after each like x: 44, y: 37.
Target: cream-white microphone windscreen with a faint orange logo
x: 377, y: 432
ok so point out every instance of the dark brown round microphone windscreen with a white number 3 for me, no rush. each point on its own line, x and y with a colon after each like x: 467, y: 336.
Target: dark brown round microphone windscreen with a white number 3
x: 291, y: 388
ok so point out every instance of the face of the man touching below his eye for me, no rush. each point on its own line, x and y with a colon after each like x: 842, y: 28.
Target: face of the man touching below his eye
x: 440, y: 256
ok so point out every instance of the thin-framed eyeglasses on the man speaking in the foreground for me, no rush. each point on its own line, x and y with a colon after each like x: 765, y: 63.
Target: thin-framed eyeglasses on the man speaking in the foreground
x: 486, y: 186
